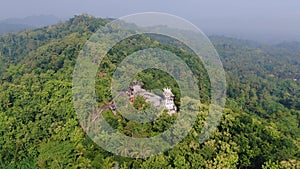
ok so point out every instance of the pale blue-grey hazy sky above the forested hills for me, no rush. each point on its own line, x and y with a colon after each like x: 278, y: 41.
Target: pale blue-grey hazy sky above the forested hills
x: 256, y: 19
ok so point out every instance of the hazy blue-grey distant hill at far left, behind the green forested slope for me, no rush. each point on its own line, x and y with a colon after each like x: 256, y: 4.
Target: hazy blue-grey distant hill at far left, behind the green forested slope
x: 30, y: 22
